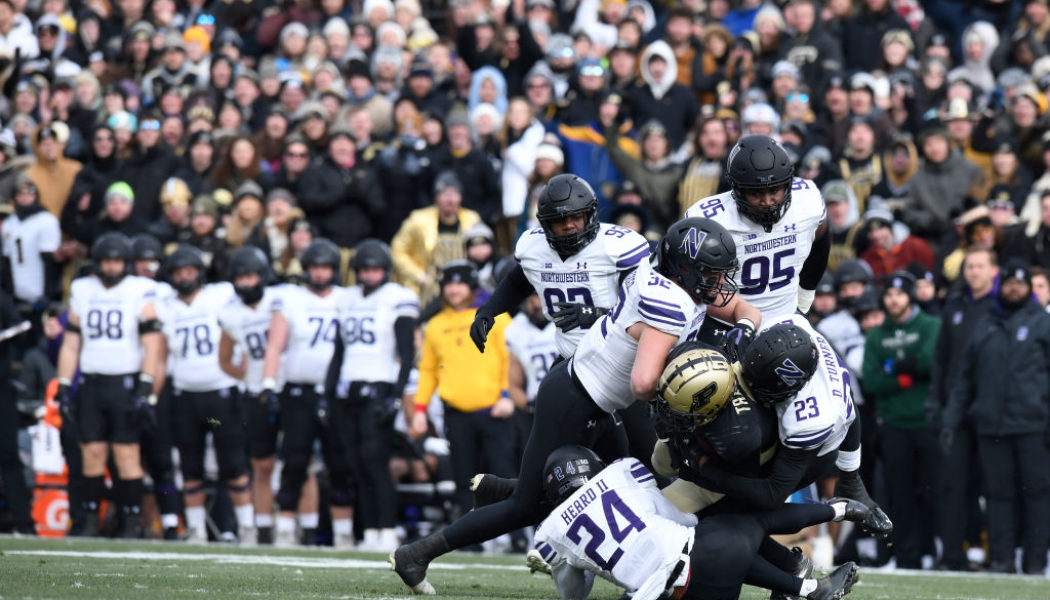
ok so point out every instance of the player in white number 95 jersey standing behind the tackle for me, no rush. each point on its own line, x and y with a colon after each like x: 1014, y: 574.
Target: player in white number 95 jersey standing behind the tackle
x: 779, y: 222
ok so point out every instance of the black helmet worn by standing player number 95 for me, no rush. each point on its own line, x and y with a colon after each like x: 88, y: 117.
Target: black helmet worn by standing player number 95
x: 758, y: 163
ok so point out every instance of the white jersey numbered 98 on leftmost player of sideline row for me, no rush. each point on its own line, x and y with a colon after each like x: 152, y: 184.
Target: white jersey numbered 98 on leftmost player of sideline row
x: 110, y: 323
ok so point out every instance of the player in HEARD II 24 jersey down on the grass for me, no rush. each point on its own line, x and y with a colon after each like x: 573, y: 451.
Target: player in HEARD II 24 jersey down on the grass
x: 613, y: 522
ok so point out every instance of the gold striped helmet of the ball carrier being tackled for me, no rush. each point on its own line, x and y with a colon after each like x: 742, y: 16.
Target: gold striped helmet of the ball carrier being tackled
x: 695, y: 387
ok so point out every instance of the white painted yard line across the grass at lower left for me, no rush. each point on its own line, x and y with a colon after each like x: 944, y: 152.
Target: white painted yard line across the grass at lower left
x: 301, y: 562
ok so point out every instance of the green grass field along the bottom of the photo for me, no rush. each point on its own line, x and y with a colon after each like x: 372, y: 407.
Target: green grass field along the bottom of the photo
x: 113, y: 570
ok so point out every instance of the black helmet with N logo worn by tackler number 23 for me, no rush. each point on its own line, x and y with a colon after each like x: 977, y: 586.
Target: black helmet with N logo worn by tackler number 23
x: 779, y: 364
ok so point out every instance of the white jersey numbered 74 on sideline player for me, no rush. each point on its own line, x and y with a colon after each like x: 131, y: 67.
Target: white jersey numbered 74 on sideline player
x: 313, y: 325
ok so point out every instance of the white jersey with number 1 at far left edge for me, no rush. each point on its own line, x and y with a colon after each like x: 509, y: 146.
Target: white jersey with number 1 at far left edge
x: 24, y: 242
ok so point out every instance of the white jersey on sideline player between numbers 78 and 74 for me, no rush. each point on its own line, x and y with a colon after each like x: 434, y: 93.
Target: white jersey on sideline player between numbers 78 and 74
x: 249, y: 328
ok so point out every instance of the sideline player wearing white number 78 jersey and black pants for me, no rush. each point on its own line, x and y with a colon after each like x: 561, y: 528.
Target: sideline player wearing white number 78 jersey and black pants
x: 204, y: 398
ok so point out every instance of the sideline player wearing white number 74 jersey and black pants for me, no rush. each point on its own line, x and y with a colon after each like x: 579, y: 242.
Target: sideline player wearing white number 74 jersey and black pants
x: 305, y: 330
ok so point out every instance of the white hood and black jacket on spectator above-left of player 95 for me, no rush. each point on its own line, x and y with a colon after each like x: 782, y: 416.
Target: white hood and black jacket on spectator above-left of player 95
x: 666, y: 101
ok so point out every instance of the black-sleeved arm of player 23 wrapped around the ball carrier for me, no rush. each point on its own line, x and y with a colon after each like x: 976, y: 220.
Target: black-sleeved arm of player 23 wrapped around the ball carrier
x: 786, y: 473
